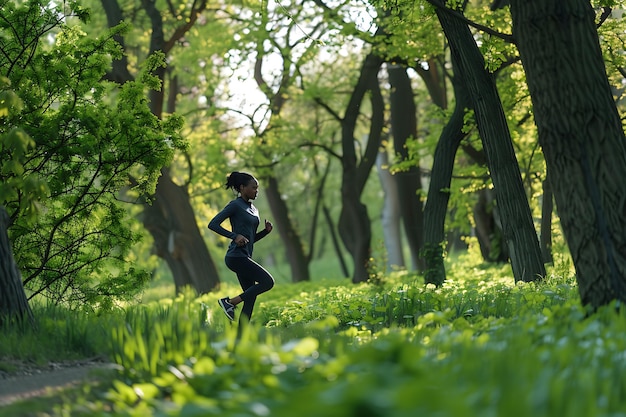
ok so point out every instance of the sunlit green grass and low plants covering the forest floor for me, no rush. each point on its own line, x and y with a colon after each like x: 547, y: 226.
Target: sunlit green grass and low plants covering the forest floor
x: 479, y: 346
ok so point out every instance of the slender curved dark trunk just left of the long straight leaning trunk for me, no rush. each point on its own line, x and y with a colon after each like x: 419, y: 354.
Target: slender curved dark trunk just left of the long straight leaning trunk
x: 436, y: 207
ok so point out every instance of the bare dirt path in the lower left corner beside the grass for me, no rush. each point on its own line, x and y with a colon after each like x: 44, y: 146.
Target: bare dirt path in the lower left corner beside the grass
x: 28, y: 381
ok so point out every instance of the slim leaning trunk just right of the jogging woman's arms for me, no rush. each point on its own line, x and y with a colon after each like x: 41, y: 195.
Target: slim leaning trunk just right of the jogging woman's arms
x: 293, y: 244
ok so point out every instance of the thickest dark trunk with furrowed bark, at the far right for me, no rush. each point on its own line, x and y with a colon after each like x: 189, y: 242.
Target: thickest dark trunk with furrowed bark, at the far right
x: 582, y: 138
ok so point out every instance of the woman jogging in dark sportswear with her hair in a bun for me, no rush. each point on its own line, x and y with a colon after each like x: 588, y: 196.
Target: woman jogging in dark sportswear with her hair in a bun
x: 244, y: 221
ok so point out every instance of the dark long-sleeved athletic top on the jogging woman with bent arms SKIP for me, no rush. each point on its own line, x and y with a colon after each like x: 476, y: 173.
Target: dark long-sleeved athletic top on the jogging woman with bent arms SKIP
x: 244, y: 220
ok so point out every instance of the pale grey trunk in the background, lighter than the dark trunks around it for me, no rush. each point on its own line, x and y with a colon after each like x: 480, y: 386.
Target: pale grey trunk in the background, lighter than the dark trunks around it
x: 391, y: 213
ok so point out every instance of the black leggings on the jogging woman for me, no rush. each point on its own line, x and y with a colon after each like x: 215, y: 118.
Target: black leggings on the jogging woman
x: 254, y: 280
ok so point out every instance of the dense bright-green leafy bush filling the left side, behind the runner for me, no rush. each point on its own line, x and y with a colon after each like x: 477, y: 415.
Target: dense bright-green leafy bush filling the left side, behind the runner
x: 70, y: 142
